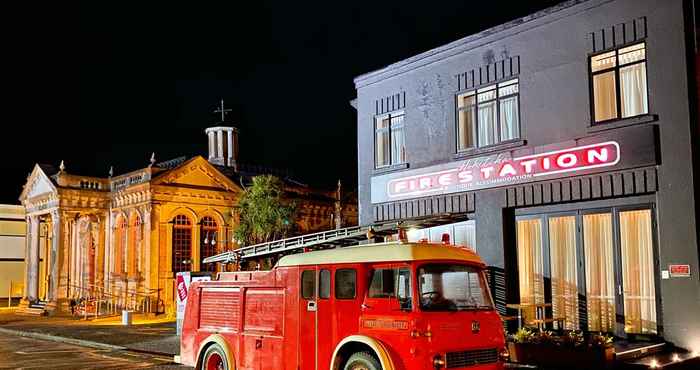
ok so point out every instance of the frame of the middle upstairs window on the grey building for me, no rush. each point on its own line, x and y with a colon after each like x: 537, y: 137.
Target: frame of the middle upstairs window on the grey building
x: 475, y: 130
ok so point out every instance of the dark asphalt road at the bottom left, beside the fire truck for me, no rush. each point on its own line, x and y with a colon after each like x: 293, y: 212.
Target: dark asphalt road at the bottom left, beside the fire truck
x: 27, y: 353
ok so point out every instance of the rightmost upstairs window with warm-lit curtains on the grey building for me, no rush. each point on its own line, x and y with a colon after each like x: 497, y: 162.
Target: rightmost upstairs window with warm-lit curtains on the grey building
x: 619, y: 81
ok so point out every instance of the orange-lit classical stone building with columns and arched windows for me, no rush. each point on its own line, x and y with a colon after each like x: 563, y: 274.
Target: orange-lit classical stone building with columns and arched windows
x: 127, y: 235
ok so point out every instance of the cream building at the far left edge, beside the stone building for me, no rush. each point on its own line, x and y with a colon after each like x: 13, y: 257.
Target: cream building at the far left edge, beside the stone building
x: 12, y: 231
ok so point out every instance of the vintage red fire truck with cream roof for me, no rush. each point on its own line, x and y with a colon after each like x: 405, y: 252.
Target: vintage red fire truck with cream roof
x: 388, y: 306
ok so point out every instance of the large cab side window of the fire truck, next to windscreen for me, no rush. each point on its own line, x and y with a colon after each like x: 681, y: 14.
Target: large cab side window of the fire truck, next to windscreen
x: 392, y: 283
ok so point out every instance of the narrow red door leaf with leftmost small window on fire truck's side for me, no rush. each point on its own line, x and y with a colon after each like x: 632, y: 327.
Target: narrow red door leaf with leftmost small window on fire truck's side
x: 308, y: 308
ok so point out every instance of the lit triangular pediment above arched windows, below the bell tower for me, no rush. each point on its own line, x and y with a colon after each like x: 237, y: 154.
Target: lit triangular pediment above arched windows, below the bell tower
x: 197, y: 172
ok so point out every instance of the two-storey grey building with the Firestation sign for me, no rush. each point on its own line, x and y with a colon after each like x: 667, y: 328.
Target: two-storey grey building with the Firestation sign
x: 564, y: 145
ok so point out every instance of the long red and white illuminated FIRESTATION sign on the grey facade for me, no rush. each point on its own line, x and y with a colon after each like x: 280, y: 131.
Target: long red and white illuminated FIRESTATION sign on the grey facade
x: 503, y: 170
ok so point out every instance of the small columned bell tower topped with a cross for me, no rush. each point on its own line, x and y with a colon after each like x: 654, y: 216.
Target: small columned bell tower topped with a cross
x: 223, y: 141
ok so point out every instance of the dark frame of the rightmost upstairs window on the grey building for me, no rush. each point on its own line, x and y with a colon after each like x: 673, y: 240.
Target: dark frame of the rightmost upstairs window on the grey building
x: 616, y: 69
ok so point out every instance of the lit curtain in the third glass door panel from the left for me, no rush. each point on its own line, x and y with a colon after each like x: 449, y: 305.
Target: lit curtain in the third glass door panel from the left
x: 600, y: 279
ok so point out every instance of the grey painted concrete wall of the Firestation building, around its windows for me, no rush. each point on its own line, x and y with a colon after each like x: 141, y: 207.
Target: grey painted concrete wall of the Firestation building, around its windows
x: 550, y: 50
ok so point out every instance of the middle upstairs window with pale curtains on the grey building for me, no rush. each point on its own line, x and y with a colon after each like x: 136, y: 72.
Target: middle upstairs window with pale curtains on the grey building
x: 488, y: 116
